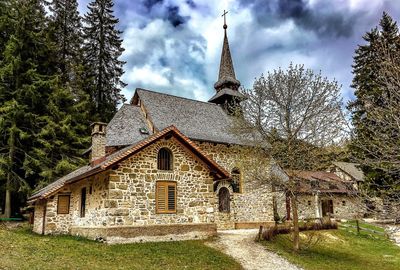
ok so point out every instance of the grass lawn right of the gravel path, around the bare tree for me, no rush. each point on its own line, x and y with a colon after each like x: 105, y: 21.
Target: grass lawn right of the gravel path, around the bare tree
x: 341, y: 249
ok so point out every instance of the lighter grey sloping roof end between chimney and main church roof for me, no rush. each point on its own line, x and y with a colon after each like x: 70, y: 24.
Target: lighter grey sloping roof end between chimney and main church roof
x: 123, y: 129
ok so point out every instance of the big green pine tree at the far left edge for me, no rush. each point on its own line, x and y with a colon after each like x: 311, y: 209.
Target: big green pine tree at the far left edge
x: 22, y: 72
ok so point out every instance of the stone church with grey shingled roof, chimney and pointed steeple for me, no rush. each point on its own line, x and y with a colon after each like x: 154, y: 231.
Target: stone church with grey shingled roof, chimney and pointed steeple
x: 164, y: 168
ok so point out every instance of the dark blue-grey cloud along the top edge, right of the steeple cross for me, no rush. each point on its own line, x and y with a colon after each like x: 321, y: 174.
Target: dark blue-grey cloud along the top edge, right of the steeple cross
x: 325, y: 20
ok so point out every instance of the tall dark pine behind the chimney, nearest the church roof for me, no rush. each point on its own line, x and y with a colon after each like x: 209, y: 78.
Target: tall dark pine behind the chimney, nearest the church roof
x: 103, y: 47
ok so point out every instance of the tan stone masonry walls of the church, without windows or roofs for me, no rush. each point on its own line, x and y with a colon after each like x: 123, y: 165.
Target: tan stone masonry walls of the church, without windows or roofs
x: 124, y: 197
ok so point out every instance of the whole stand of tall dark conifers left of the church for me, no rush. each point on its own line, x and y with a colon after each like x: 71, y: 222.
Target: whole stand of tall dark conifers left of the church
x: 48, y: 90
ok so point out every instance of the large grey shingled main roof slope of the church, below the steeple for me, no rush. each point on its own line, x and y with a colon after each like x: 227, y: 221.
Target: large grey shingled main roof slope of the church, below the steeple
x: 196, y: 119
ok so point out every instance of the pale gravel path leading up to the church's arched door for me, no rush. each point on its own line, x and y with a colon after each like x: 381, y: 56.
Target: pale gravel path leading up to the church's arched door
x: 241, y: 246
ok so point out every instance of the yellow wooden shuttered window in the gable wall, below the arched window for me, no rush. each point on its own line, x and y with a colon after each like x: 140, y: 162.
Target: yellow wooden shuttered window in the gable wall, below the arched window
x: 165, y: 197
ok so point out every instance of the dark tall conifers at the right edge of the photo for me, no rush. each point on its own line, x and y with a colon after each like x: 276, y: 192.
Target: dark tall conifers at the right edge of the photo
x: 369, y: 66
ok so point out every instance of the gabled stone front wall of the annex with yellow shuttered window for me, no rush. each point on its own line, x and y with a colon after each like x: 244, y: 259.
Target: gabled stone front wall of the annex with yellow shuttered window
x: 133, y: 186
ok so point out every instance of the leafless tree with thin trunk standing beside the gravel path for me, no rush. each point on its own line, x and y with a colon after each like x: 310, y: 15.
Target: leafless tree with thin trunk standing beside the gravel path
x: 300, y: 108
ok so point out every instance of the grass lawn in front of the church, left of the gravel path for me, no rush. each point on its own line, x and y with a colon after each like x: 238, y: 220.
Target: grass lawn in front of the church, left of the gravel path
x: 21, y: 249
